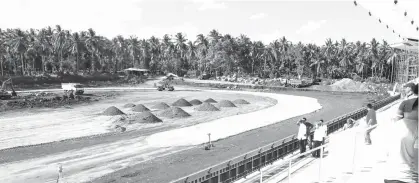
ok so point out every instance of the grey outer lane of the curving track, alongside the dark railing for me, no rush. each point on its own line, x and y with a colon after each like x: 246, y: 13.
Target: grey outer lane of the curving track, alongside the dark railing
x: 177, y: 165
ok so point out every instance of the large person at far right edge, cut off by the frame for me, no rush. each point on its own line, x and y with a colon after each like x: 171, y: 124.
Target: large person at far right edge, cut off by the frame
x: 408, y: 113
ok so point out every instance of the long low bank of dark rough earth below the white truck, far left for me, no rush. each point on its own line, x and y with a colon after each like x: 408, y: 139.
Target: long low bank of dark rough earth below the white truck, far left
x: 22, y: 102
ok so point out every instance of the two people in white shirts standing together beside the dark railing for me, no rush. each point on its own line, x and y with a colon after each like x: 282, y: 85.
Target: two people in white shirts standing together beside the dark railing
x: 304, y: 137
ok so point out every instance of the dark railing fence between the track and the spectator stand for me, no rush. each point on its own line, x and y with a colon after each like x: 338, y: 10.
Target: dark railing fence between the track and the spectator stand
x: 252, y: 161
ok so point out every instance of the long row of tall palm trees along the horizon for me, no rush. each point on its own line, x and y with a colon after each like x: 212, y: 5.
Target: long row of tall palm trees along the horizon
x: 58, y: 50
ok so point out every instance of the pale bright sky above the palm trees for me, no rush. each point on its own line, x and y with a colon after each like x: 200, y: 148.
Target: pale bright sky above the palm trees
x: 308, y: 21
